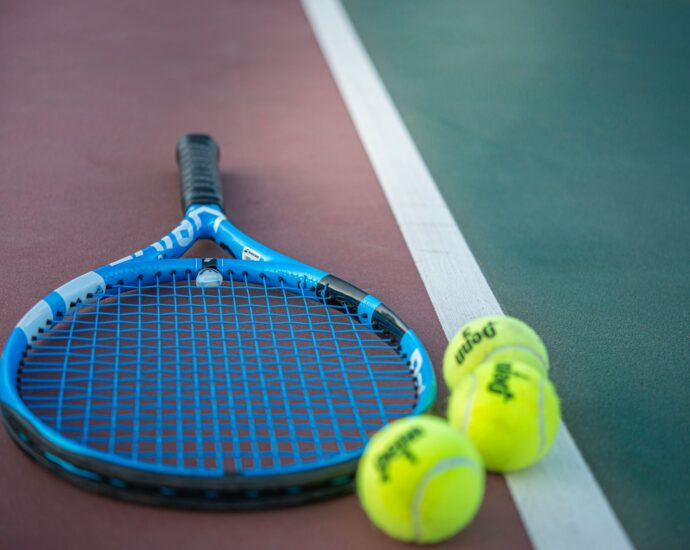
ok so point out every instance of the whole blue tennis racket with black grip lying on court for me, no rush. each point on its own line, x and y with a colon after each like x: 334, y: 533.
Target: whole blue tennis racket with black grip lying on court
x: 223, y: 383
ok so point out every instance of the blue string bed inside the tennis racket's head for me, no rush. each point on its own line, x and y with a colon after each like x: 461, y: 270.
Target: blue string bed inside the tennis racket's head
x: 240, y: 377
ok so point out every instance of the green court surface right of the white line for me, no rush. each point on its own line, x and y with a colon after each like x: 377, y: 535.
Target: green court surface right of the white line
x: 558, y: 132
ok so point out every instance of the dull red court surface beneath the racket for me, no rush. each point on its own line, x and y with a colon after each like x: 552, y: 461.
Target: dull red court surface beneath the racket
x: 94, y: 96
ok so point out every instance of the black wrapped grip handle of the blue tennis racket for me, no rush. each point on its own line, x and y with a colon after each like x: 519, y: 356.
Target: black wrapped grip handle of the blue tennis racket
x: 197, y: 157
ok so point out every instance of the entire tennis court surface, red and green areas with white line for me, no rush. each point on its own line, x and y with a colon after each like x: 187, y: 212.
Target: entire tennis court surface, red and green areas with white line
x: 455, y: 159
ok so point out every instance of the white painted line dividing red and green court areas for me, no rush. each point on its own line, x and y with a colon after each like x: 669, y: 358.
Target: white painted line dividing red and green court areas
x: 559, y: 500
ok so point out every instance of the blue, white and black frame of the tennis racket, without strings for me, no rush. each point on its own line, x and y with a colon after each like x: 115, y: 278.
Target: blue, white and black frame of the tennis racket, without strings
x: 257, y: 263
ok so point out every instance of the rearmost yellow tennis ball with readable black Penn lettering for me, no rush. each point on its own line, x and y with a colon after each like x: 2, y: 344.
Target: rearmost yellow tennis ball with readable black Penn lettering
x: 496, y: 338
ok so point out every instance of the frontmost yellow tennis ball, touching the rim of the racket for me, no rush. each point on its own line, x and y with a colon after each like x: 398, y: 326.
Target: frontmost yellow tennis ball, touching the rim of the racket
x: 420, y: 480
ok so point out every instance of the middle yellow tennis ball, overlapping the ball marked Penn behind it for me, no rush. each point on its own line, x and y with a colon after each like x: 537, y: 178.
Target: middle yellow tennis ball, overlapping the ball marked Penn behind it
x: 510, y: 410
